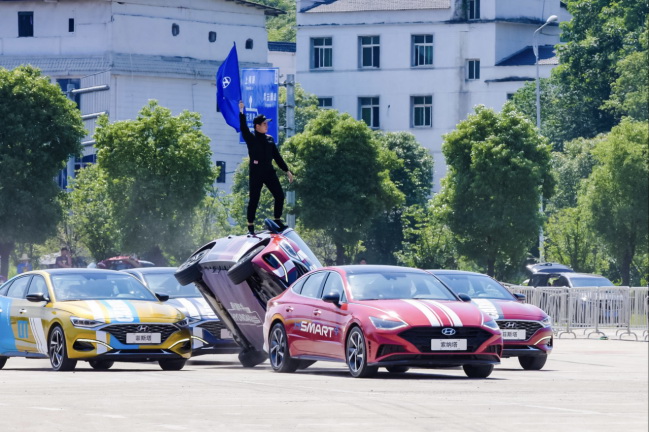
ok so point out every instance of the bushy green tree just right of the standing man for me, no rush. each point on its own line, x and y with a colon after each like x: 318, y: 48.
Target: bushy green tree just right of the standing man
x: 342, y: 178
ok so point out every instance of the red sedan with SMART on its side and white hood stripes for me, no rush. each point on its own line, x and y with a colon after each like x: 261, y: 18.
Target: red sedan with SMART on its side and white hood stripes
x: 378, y: 316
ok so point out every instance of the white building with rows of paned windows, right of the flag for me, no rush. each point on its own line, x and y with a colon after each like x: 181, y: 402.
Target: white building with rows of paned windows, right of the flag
x: 421, y: 65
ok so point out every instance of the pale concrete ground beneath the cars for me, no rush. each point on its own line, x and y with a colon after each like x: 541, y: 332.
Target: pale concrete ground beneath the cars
x: 587, y: 385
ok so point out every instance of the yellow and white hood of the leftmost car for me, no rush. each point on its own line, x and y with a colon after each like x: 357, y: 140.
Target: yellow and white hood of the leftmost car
x: 121, y: 311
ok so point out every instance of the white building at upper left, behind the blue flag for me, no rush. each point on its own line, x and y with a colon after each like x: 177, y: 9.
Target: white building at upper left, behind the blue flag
x: 150, y: 49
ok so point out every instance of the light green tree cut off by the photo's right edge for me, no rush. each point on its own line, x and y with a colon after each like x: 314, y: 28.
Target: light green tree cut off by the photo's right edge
x: 616, y: 193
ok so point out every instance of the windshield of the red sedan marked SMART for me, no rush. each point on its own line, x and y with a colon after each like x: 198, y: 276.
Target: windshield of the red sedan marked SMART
x: 366, y: 286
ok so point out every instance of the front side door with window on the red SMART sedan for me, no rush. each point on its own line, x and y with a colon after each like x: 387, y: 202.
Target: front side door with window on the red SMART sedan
x: 329, y: 341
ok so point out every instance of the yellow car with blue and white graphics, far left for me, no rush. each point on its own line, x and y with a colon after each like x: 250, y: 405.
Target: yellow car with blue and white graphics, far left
x: 93, y: 315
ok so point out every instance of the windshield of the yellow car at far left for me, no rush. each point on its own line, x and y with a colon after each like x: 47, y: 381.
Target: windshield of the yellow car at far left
x: 89, y: 286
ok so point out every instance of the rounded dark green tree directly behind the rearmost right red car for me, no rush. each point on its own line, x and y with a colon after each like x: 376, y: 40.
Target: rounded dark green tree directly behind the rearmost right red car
x: 498, y: 166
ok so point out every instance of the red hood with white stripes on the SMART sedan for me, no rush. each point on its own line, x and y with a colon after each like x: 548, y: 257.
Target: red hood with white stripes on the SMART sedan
x: 419, y: 312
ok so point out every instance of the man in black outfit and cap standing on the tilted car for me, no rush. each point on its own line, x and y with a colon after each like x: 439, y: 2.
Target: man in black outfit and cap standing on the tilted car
x: 262, y: 151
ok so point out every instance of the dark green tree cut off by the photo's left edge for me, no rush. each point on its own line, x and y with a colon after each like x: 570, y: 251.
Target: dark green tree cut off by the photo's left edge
x: 40, y: 129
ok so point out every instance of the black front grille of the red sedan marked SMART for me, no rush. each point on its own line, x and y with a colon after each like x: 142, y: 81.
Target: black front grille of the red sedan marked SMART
x: 421, y: 336
